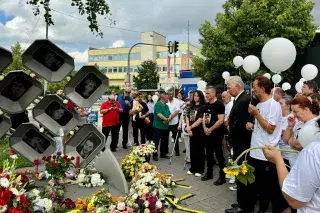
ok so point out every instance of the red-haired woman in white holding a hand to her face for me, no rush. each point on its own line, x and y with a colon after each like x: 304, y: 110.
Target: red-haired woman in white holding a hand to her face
x: 306, y: 112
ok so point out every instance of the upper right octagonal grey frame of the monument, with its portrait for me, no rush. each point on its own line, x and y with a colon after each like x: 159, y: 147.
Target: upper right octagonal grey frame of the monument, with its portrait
x: 86, y: 87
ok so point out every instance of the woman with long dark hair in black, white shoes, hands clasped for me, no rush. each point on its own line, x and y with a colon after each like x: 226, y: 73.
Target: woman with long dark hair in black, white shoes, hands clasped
x: 195, y: 130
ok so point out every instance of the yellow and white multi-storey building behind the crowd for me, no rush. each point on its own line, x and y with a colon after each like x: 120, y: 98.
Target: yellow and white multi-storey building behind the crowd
x: 114, y: 61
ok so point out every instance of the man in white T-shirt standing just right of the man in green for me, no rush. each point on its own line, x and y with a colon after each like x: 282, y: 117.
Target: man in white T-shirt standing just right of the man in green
x: 174, y: 106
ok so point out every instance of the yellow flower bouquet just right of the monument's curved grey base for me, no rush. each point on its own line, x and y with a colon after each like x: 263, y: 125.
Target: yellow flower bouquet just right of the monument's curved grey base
x: 130, y: 164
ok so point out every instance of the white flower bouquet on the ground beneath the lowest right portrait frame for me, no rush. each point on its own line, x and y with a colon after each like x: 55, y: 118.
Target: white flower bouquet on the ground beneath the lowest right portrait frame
x: 87, y: 178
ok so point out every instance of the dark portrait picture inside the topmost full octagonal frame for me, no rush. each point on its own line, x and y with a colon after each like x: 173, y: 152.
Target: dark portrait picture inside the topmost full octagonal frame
x: 48, y: 58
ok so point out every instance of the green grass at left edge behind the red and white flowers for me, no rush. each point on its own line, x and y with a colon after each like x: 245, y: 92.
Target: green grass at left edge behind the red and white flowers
x: 4, y: 155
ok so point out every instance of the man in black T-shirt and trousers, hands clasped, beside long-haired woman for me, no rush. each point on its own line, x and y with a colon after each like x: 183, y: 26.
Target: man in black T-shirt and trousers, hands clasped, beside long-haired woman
x: 213, y: 118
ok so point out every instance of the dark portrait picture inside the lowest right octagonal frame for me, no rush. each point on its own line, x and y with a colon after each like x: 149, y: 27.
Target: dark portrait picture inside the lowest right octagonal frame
x: 88, y: 145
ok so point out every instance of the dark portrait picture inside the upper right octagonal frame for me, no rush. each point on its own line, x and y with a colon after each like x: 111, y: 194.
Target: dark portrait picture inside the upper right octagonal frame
x: 88, y: 85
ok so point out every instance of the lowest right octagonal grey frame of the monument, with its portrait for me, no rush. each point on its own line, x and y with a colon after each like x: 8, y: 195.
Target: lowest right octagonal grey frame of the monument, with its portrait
x: 87, y: 143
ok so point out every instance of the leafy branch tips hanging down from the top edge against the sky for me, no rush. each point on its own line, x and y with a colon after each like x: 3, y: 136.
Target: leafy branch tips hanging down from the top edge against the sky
x: 92, y: 8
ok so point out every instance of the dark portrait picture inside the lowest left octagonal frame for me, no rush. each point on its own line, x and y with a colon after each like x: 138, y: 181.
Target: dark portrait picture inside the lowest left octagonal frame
x: 36, y: 141
